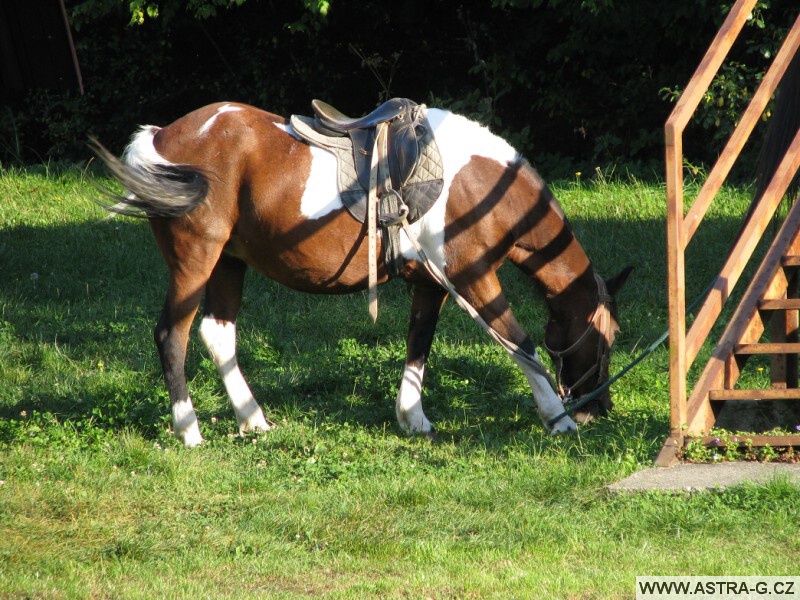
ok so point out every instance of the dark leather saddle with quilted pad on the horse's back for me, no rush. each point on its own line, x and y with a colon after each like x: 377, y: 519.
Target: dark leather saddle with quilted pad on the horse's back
x: 414, y: 164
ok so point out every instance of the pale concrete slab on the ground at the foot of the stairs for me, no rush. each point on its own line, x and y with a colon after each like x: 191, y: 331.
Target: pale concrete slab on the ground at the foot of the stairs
x: 695, y: 477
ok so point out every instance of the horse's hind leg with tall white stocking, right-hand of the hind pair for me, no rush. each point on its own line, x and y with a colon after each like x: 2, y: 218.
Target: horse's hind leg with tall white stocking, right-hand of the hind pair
x: 218, y: 332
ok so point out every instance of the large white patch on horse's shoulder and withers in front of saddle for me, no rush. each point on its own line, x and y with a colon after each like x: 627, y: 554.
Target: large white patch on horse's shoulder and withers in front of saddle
x: 458, y: 139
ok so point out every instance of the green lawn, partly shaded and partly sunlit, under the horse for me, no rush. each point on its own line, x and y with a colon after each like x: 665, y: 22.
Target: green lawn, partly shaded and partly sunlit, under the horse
x: 97, y: 499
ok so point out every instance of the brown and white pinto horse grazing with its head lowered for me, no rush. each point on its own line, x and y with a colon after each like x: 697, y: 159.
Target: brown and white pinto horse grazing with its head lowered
x: 231, y: 186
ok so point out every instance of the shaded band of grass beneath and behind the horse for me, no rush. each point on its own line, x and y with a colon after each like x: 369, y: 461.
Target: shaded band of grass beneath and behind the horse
x: 78, y: 304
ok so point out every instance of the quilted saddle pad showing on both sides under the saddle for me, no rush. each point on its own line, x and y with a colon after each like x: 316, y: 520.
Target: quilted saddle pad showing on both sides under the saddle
x: 419, y: 191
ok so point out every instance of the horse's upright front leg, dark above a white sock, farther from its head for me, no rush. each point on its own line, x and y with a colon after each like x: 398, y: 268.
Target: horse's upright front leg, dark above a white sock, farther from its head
x: 425, y: 308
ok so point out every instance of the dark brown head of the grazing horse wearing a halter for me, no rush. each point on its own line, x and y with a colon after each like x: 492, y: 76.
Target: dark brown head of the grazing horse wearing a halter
x: 580, y: 347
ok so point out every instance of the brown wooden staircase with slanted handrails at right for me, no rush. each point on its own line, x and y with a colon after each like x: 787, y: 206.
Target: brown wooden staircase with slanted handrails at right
x: 766, y: 320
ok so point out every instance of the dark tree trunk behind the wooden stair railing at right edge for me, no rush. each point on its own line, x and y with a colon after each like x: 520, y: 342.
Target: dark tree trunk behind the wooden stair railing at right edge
x: 782, y: 128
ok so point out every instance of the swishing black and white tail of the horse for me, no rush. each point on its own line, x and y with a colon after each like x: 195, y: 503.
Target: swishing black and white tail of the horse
x: 154, y: 186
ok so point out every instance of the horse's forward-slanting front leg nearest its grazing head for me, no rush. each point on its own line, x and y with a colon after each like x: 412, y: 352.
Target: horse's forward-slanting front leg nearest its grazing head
x: 484, y: 293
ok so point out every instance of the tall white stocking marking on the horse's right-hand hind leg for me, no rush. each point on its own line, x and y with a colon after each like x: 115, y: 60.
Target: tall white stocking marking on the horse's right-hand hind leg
x: 220, y: 339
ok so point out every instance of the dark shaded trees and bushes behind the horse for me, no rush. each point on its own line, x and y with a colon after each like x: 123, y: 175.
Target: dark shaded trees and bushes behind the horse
x: 574, y: 84
